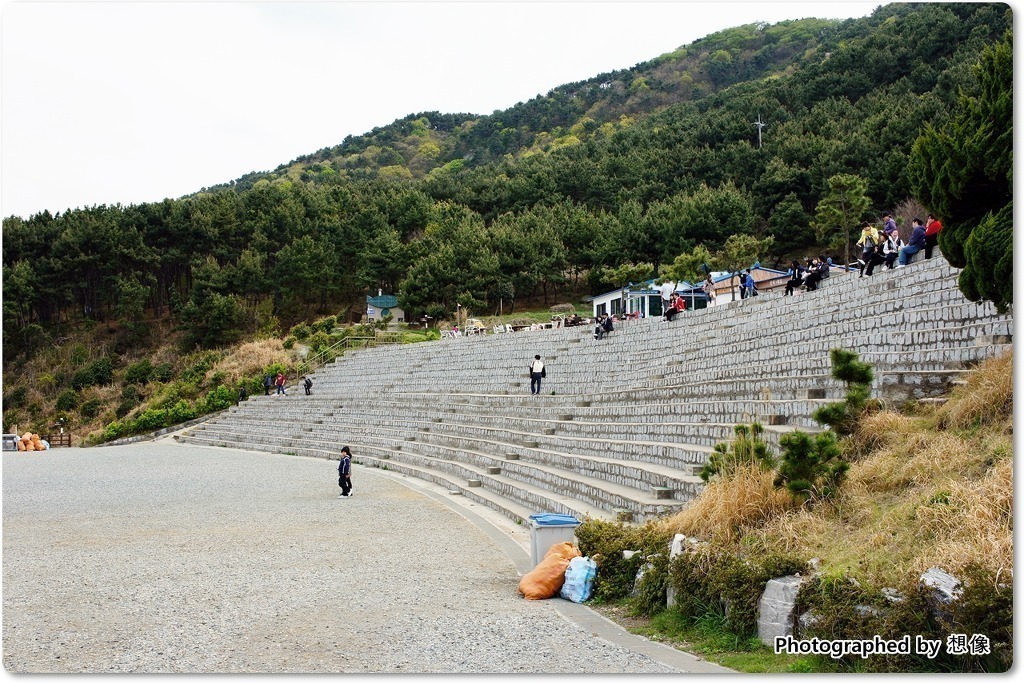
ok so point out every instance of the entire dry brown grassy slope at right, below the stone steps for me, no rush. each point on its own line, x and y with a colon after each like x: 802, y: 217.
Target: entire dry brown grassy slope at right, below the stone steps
x: 918, y: 498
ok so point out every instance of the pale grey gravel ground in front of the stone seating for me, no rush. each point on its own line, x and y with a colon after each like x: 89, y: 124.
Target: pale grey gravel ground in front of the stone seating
x: 160, y: 559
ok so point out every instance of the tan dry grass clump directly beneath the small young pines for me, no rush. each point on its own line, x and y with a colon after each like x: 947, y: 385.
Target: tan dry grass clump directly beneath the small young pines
x: 729, y: 506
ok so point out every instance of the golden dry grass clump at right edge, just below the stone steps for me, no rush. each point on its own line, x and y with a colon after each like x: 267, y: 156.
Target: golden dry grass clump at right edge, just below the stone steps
x: 987, y: 400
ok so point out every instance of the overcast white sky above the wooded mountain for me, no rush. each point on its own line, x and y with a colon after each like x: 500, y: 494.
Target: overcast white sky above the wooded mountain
x: 107, y: 103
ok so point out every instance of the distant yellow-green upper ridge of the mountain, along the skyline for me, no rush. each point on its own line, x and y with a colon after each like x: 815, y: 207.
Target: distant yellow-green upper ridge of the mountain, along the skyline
x: 569, y: 114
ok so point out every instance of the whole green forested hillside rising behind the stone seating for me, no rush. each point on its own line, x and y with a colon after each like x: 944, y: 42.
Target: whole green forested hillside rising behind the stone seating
x: 551, y: 199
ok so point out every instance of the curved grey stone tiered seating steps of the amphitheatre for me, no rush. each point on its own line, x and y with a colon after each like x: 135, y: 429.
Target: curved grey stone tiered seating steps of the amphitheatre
x: 624, y: 424
